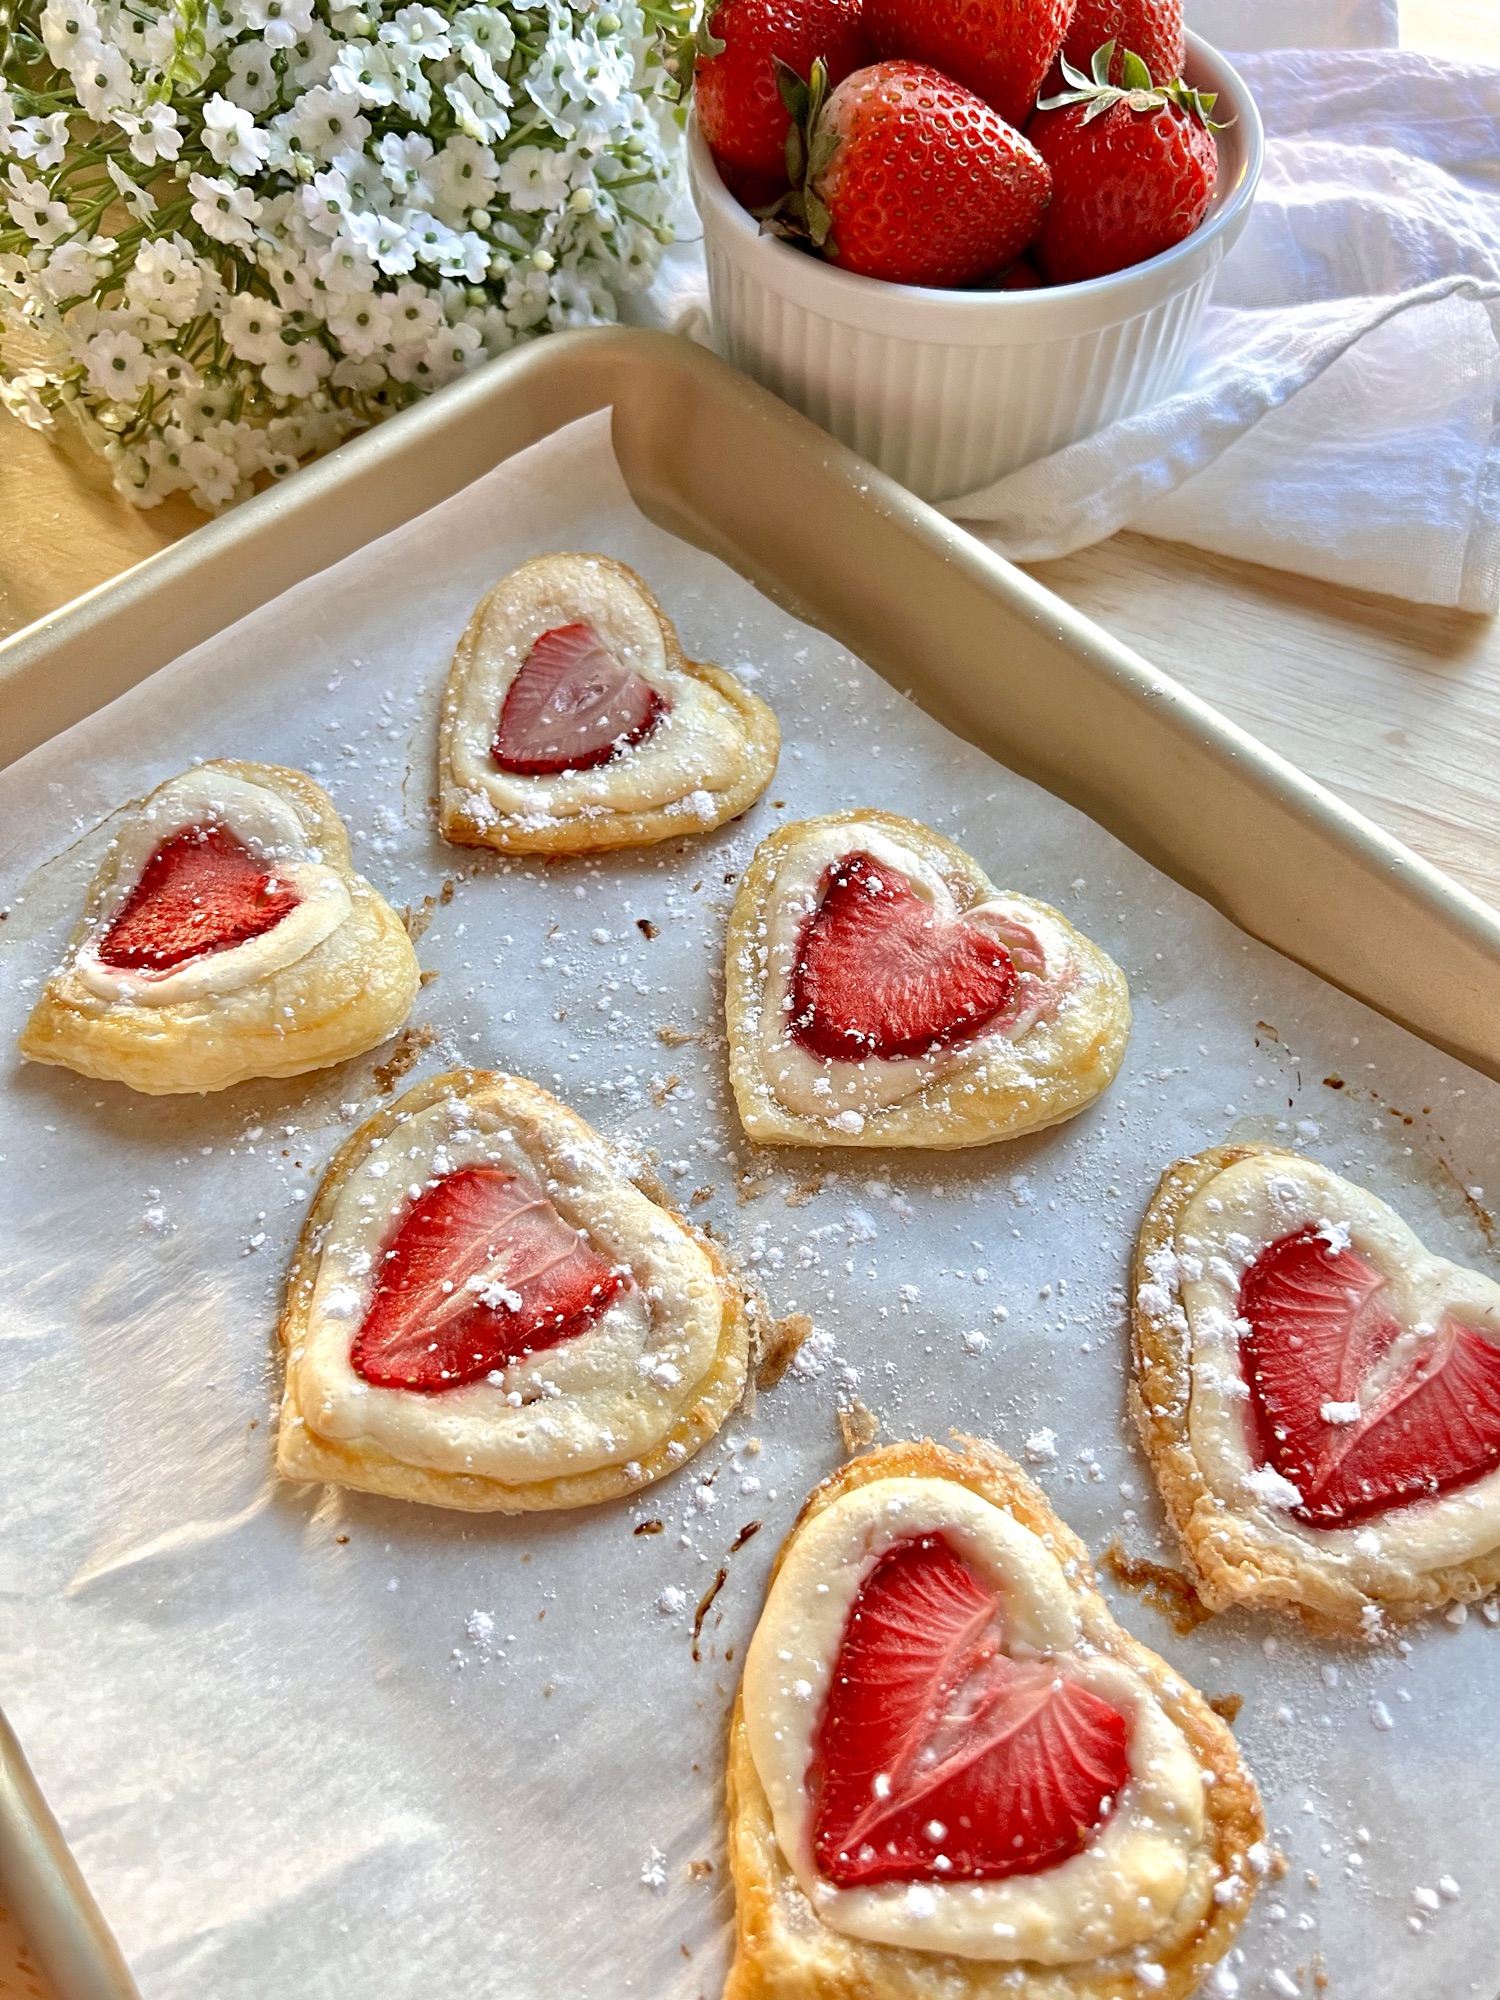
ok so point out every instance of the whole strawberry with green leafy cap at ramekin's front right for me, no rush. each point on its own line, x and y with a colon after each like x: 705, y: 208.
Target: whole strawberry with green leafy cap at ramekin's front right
x: 1133, y: 171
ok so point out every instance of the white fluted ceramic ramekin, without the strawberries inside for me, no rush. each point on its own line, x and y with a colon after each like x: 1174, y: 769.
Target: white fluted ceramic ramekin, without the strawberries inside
x: 949, y: 391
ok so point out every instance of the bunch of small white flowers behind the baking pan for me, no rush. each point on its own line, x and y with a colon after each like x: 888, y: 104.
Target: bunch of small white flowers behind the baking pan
x: 237, y: 231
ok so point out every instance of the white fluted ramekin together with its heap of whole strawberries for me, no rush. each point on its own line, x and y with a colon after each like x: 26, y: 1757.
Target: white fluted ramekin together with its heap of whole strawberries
x: 963, y: 235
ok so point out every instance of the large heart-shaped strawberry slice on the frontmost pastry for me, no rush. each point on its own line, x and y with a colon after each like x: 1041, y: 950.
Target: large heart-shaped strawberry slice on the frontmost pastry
x: 935, y: 1747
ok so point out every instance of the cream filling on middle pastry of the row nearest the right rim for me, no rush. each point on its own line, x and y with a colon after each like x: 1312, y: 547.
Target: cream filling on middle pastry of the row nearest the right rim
x: 847, y: 1093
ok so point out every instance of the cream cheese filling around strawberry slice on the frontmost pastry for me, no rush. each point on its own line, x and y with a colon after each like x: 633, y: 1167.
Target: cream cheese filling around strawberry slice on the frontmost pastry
x: 1133, y: 1877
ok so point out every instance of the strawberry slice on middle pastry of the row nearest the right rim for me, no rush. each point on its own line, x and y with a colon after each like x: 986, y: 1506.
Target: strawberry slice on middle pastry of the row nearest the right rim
x: 881, y: 973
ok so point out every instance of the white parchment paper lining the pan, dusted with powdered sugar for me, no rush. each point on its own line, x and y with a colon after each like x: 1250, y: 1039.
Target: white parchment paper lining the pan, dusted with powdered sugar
x: 313, y: 1745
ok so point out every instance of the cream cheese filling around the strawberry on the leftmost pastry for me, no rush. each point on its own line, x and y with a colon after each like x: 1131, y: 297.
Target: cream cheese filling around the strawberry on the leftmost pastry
x: 275, y: 833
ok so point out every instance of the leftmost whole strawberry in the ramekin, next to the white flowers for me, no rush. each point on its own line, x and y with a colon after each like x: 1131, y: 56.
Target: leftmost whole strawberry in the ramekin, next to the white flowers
x: 741, y: 109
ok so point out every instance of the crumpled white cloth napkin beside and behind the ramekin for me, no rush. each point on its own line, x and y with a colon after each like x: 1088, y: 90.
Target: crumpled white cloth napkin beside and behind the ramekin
x: 1341, y: 411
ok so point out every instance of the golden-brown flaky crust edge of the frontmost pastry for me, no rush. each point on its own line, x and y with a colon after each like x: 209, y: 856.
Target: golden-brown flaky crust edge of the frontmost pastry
x: 787, y: 1953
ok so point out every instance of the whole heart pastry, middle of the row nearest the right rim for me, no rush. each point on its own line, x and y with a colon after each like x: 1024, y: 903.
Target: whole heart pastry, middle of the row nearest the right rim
x: 883, y: 993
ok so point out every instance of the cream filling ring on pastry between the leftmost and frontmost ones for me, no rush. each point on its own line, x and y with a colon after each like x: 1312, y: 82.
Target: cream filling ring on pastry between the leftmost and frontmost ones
x: 603, y: 1399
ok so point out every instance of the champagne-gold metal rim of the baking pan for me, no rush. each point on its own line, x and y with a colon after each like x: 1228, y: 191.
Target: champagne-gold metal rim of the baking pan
x: 987, y: 651
